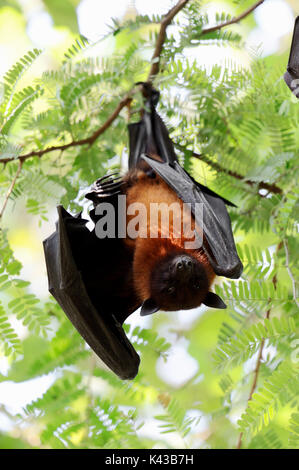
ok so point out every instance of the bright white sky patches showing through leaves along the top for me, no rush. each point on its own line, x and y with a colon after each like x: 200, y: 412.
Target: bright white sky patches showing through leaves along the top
x: 274, y: 18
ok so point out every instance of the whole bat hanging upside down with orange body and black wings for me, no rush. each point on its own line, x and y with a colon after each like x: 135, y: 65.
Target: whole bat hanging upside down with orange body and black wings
x: 100, y: 280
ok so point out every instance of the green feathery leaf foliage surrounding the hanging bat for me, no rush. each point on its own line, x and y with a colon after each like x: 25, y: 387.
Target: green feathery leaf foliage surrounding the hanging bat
x: 242, y: 121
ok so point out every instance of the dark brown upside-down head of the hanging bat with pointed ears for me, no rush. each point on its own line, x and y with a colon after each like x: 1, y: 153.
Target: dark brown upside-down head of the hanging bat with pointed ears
x: 179, y: 282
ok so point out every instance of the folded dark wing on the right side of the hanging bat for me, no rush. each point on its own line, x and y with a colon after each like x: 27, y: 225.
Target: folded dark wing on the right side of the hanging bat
x: 218, y: 242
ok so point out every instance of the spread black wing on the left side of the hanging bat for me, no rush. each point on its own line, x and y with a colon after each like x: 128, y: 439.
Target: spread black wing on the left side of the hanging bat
x: 72, y: 257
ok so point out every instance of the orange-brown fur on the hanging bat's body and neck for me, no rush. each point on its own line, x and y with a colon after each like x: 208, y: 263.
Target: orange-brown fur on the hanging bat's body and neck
x: 149, y: 251
